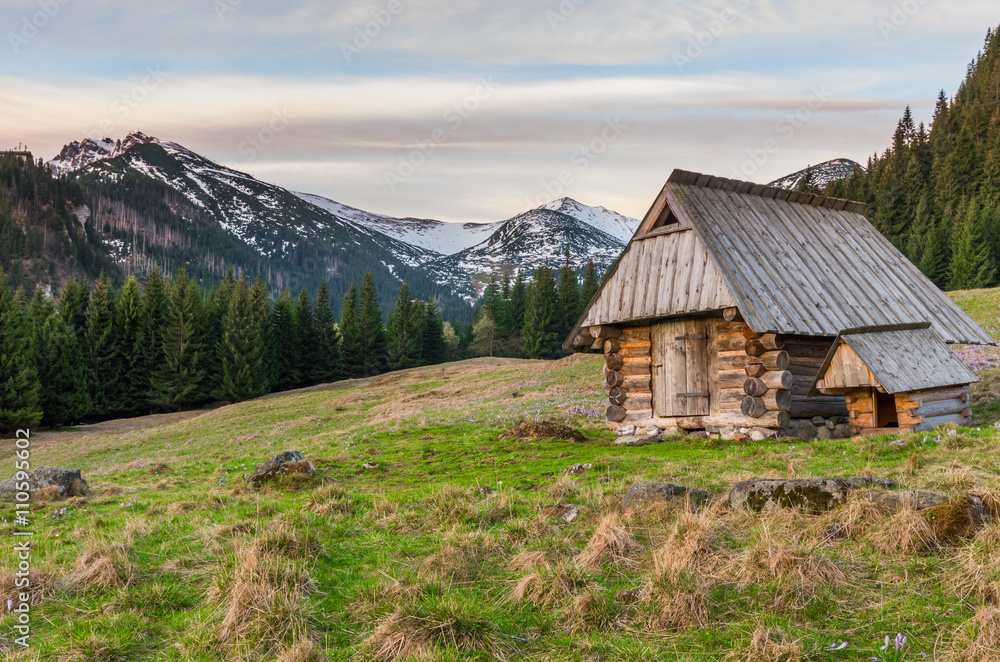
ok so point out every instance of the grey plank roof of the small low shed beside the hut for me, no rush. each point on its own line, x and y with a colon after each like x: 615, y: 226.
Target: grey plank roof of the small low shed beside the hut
x: 906, y: 357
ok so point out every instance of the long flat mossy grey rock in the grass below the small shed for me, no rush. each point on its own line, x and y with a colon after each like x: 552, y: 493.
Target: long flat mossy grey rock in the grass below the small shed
x: 811, y: 494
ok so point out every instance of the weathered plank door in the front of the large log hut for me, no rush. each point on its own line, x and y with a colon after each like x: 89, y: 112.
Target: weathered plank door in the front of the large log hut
x: 681, y: 375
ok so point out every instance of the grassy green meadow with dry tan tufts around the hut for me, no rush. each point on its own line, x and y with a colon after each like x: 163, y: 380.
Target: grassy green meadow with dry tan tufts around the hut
x: 422, y: 535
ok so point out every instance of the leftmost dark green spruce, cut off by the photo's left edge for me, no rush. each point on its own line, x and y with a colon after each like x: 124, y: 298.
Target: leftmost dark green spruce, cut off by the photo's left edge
x: 19, y: 388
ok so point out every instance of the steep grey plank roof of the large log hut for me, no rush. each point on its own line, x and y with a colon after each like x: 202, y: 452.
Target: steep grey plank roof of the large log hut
x: 795, y: 263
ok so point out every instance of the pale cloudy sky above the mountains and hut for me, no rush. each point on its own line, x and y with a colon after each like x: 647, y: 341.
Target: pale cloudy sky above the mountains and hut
x: 470, y: 110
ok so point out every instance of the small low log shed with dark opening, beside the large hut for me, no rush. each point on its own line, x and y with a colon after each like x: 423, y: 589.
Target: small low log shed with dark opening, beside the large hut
x: 896, y: 378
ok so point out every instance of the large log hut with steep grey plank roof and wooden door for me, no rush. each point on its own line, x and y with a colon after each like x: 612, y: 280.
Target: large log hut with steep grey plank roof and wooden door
x: 731, y: 296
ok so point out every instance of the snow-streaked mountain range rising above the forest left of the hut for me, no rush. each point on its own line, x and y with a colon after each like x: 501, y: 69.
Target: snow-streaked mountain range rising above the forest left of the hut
x: 296, y: 230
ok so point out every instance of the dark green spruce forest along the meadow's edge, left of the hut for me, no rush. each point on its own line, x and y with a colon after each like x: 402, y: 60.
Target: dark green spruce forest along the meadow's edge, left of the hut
x: 99, y: 352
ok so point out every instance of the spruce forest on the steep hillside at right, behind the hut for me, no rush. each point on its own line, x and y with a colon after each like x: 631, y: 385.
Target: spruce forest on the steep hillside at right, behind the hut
x: 935, y: 193
